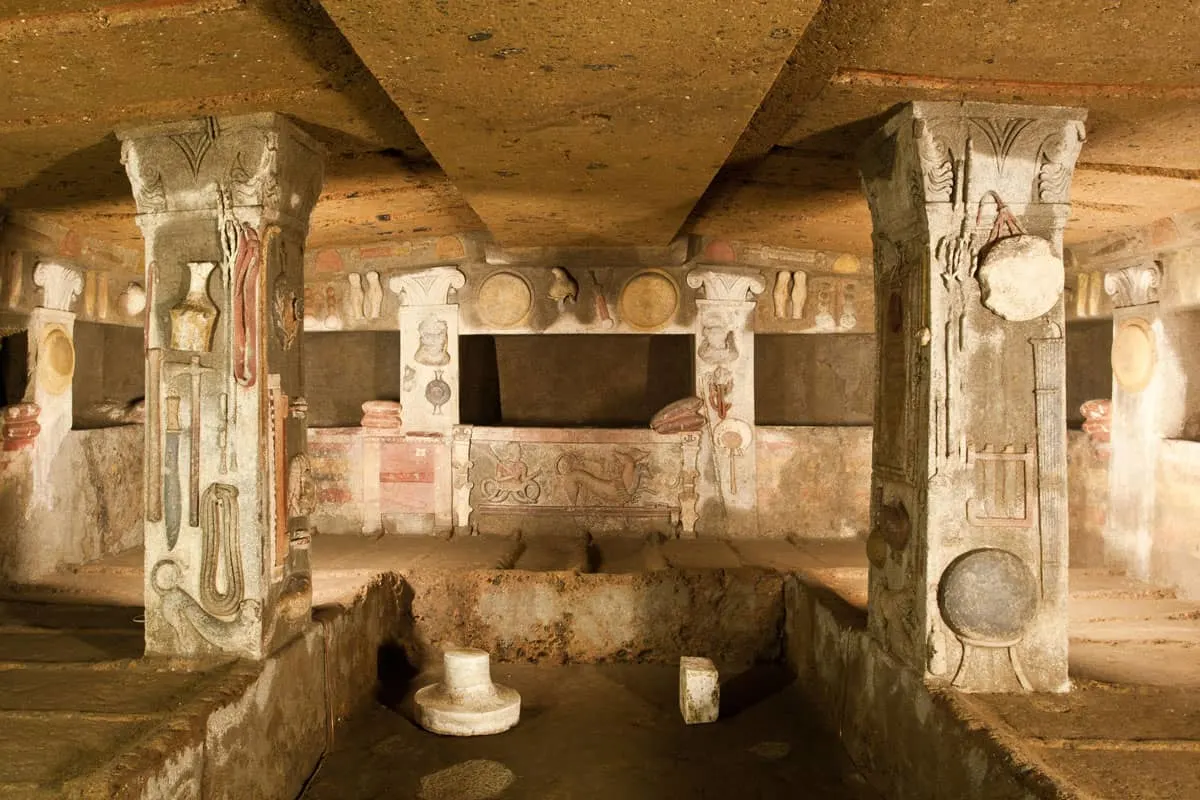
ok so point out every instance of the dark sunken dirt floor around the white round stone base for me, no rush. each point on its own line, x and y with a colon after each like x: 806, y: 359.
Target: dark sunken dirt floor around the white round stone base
x: 601, y: 732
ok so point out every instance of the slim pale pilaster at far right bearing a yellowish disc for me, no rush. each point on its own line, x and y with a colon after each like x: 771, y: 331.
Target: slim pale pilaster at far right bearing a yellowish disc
x: 1142, y: 388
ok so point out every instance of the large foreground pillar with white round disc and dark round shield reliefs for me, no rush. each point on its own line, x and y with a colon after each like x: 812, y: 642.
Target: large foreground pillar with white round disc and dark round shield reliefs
x: 969, y: 526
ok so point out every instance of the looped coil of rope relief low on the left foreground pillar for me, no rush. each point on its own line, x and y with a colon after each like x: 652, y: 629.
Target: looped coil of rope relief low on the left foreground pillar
x: 223, y: 582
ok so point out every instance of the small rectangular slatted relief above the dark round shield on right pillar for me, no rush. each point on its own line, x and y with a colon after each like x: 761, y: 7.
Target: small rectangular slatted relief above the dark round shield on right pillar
x: 1005, y: 495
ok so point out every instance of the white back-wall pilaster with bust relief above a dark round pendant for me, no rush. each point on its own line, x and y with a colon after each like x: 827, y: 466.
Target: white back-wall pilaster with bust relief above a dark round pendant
x: 429, y: 341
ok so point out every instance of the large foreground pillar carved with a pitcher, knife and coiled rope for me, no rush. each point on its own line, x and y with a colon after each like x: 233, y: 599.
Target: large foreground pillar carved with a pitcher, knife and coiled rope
x: 224, y: 206
